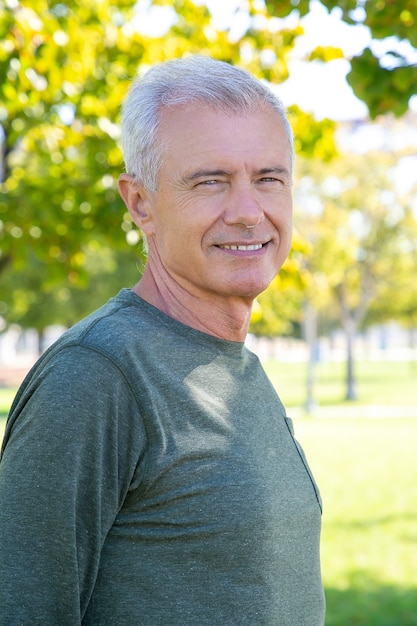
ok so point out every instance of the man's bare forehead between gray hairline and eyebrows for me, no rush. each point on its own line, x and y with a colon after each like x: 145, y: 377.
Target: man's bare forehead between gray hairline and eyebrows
x: 197, y: 132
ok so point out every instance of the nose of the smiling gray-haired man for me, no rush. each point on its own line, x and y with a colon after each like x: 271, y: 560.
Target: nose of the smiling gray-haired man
x: 242, y: 207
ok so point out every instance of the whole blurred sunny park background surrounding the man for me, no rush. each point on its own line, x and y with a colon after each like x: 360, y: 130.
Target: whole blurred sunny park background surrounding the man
x: 337, y: 328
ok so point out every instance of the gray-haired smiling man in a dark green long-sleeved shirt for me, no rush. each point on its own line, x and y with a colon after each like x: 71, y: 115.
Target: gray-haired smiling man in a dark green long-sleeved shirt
x: 149, y: 473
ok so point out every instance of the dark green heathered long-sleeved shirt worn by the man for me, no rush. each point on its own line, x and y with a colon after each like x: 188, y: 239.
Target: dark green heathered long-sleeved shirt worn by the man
x: 150, y: 477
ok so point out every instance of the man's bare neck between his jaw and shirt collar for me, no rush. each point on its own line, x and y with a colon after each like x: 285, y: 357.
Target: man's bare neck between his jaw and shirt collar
x: 226, y: 318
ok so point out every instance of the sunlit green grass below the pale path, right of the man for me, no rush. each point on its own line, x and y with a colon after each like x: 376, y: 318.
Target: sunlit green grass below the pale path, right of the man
x: 366, y: 471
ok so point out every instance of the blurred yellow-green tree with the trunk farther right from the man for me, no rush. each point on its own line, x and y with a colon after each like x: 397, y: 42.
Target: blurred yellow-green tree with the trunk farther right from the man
x: 359, y: 229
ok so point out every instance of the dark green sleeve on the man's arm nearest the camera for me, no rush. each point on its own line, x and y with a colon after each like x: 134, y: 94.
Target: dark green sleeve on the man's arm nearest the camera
x: 74, y: 444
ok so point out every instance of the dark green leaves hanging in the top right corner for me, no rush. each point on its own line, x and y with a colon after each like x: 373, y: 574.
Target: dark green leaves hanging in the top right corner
x: 385, y: 82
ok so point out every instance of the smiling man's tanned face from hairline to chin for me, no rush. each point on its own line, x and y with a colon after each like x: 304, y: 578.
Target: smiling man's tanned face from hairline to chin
x: 221, y: 219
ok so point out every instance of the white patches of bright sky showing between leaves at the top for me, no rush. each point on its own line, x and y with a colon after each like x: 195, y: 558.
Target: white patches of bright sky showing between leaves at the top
x: 317, y: 87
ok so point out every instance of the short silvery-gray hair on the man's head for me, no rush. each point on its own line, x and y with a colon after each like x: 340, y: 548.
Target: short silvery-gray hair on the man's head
x: 178, y: 82
